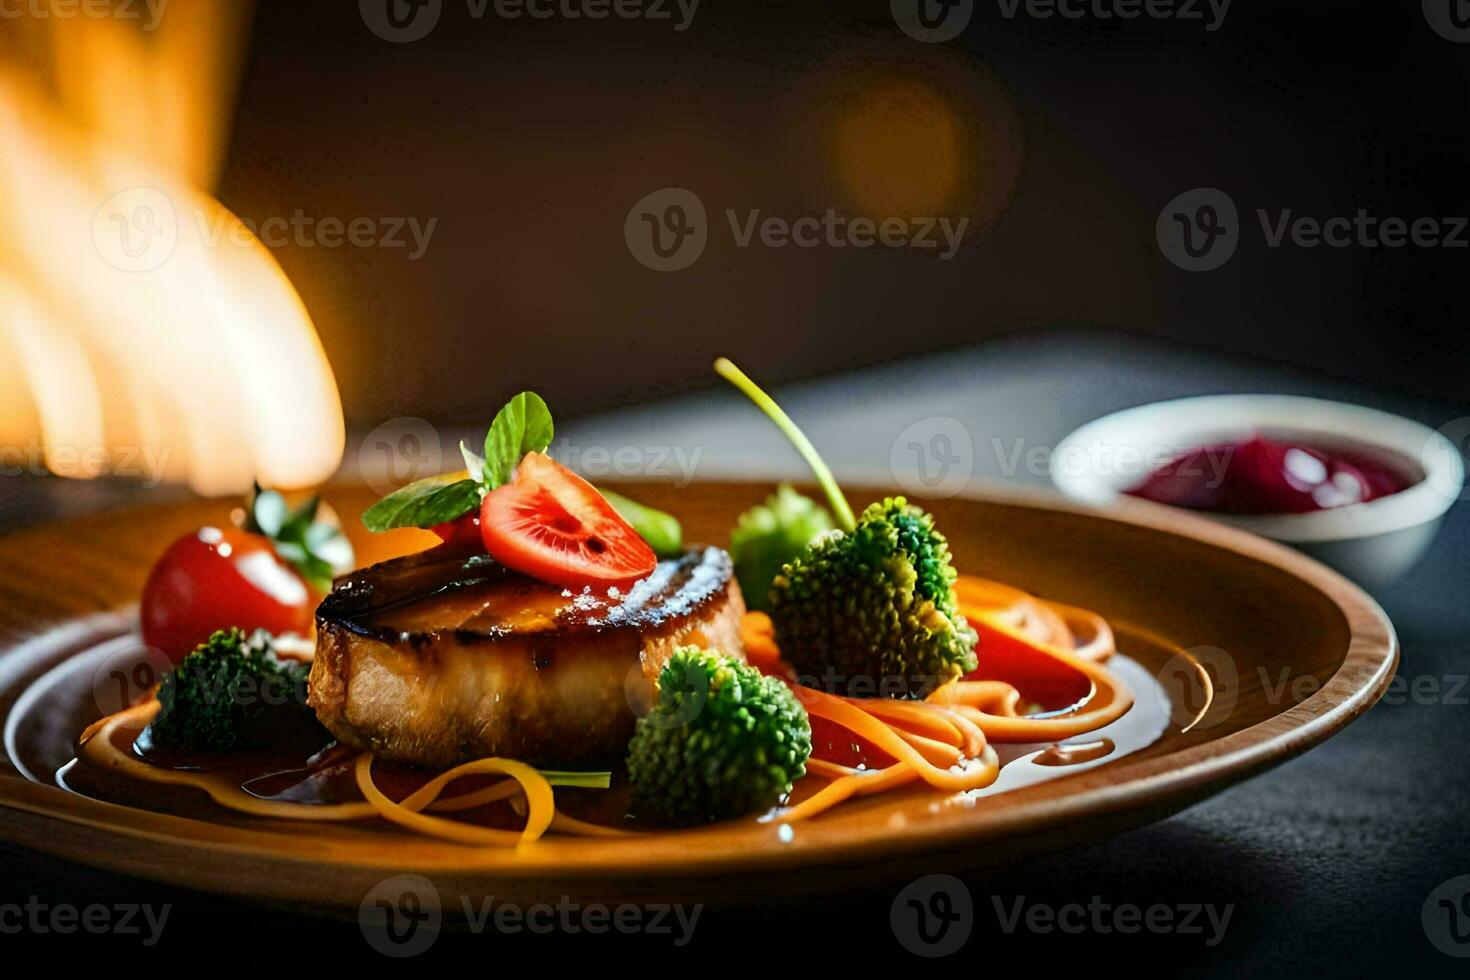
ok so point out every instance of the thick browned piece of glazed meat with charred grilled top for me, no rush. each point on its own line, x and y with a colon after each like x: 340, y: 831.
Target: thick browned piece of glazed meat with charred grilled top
x: 437, y: 662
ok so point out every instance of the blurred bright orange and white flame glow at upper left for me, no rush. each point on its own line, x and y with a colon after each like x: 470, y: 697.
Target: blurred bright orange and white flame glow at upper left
x: 143, y: 328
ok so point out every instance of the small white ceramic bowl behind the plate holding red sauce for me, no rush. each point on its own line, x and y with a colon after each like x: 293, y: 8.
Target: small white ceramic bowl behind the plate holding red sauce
x: 1374, y: 543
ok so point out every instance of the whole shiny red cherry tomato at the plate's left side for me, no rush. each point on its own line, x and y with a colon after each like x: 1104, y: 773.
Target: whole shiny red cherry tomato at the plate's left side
x: 215, y: 580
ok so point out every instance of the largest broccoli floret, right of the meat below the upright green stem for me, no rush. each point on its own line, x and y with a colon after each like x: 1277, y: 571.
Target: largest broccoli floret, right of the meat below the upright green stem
x: 872, y: 612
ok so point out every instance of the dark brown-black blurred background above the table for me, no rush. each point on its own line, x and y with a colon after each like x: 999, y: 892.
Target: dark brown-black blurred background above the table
x: 531, y: 140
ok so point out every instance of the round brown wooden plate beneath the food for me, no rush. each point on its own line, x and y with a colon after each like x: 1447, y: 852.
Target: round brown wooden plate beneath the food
x: 1294, y: 650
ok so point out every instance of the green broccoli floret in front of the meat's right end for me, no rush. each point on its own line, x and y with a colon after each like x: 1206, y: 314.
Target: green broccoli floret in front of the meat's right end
x: 721, y: 741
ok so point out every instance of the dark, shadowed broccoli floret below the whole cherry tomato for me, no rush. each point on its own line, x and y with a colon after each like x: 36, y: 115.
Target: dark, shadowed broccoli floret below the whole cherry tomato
x: 234, y: 694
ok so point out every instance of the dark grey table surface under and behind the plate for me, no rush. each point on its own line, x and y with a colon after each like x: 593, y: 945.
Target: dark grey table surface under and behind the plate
x: 1324, y: 863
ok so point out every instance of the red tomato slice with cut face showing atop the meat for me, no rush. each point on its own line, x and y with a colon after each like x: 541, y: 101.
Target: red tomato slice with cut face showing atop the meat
x: 555, y: 527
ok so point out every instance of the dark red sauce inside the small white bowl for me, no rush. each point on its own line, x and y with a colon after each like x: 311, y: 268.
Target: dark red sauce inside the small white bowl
x: 1268, y: 477
